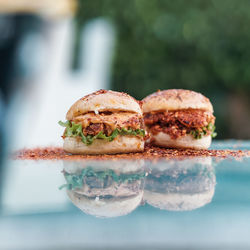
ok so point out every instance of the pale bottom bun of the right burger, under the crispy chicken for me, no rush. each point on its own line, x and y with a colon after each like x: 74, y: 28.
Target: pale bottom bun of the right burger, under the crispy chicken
x: 187, y: 141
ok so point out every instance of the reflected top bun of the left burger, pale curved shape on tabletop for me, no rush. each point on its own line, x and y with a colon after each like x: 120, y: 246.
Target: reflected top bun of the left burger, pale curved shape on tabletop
x: 106, y: 207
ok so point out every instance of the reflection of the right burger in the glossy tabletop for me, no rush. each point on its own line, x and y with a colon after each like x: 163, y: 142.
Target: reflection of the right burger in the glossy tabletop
x: 180, y: 185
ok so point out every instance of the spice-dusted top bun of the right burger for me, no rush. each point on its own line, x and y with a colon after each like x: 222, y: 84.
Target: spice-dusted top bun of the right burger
x: 174, y: 99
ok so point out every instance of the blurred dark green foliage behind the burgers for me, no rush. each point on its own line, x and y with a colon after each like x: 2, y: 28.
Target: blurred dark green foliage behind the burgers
x: 196, y: 44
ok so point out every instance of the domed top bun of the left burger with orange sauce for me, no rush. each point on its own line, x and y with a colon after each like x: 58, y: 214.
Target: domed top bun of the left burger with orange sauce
x: 104, y: 100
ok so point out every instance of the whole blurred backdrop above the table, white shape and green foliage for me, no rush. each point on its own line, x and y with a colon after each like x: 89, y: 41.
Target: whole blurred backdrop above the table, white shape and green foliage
x: 54, y: 52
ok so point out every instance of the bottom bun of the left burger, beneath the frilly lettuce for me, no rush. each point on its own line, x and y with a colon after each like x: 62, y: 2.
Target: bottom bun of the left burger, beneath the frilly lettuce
x: 121, y: 144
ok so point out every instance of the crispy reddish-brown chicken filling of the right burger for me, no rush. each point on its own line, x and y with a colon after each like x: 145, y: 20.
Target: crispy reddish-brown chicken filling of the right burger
x: 180, y: 122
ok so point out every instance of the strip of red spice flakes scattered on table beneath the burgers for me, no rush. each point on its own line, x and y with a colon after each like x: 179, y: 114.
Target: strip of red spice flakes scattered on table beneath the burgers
x: 150, y: 153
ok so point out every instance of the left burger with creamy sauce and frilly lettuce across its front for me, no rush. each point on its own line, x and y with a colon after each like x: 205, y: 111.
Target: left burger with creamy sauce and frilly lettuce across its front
x: 104, y: 122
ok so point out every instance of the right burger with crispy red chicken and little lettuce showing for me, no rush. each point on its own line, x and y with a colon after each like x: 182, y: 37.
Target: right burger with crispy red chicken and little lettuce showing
x: 179, y: 118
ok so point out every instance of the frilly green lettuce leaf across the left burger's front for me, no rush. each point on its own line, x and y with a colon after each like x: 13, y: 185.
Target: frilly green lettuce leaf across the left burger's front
x: 74, y: 130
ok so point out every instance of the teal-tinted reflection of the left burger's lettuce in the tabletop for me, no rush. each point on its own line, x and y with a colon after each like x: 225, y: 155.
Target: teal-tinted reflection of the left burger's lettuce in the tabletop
x: 76, y: 180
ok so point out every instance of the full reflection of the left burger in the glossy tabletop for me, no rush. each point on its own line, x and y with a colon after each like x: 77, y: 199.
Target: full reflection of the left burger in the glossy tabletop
x: 105, y: 189
